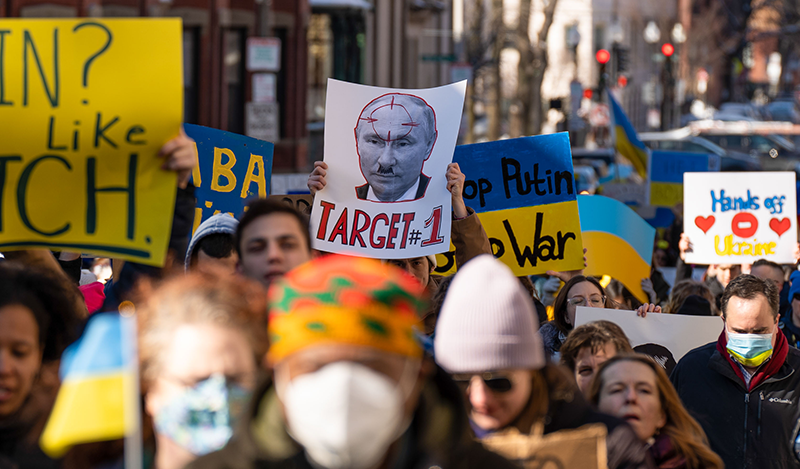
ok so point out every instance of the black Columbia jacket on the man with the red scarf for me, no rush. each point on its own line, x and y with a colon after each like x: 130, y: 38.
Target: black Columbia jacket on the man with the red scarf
x: 747, y: 429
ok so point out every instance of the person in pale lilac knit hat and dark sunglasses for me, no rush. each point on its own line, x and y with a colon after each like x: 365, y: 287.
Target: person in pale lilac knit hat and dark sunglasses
x: 487, y: 340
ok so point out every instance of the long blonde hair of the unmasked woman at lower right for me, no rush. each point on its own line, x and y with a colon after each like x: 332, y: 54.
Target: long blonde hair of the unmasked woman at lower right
x: 687, y: 436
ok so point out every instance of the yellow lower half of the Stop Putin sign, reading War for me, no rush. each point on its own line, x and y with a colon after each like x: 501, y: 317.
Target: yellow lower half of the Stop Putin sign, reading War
x: 530, y: 240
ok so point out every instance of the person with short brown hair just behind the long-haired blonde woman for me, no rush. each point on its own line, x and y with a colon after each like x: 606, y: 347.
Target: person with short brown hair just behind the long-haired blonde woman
x: 590, y: 345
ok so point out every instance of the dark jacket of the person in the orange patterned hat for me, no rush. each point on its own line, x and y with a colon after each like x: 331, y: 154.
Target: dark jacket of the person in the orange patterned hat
x: 439, y: 436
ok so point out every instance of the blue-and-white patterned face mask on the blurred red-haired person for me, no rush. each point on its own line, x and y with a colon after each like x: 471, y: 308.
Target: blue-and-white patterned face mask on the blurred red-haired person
x: 201, y: 418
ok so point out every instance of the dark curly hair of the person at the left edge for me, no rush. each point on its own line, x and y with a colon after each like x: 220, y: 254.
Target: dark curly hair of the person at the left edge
x: 53, y: 302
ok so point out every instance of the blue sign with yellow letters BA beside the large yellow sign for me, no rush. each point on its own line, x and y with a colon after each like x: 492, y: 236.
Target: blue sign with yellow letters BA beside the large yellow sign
x: 231, y: 170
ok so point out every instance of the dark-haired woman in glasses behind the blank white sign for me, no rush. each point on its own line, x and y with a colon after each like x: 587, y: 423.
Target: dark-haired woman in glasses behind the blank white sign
x: 577, y: 291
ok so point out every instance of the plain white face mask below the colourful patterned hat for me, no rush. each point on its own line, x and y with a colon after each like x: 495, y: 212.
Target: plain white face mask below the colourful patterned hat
x: 344, y: 414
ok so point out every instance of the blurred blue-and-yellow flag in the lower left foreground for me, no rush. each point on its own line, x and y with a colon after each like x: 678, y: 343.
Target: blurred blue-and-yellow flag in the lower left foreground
x: 99, y: 397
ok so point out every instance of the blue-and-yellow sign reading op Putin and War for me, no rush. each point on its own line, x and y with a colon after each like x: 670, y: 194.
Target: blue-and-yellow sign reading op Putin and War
x: 524, y: 193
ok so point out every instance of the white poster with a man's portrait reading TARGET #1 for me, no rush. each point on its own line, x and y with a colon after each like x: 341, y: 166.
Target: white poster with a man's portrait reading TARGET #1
x: 387, y: 152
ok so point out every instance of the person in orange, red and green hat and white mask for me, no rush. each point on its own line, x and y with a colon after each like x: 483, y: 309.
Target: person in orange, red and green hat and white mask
x: 351, y: 387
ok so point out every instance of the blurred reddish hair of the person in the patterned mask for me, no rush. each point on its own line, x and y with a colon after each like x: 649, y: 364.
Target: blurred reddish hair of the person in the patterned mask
x: 199, y: 298
